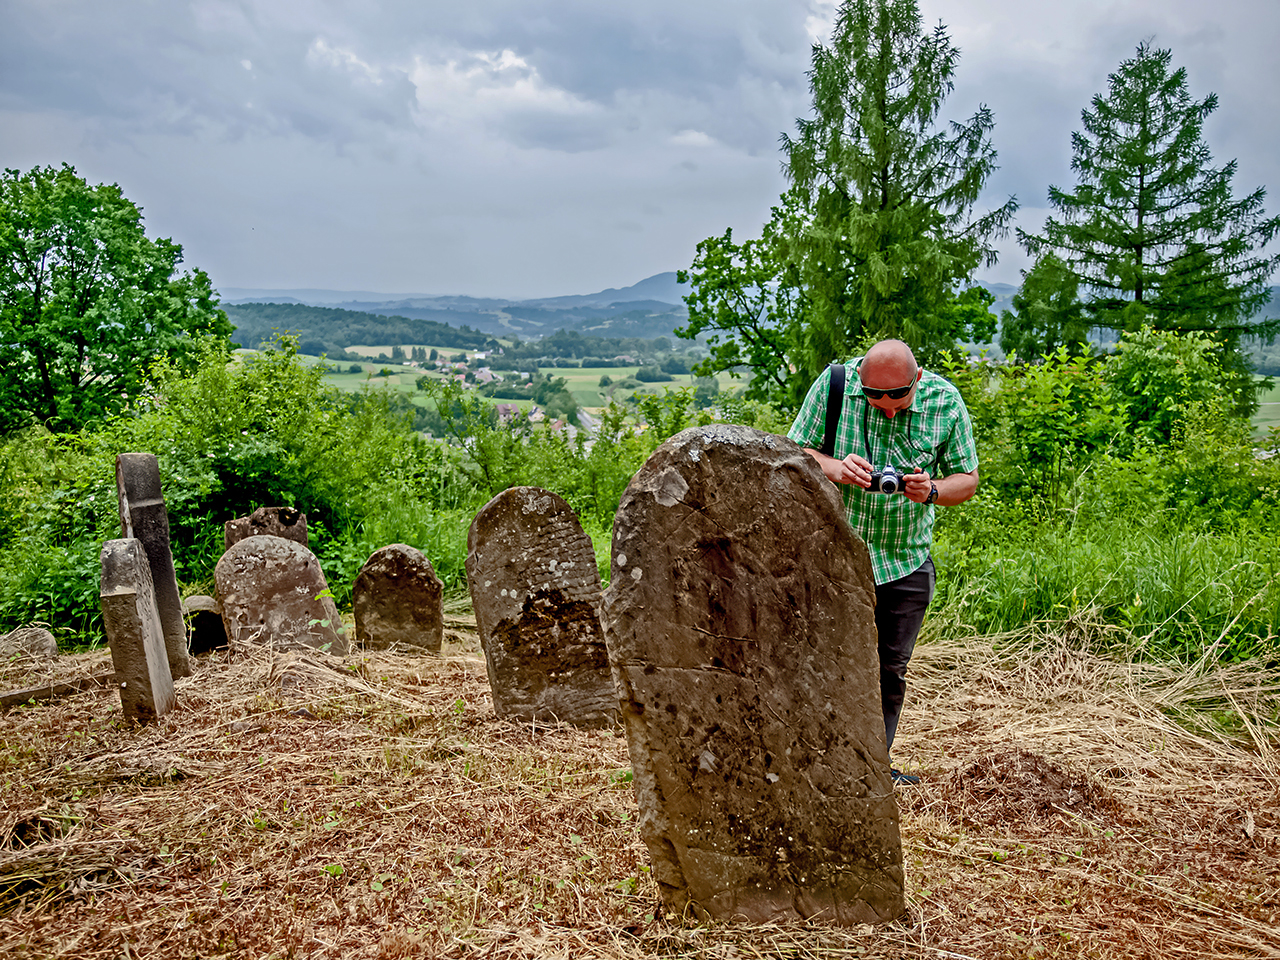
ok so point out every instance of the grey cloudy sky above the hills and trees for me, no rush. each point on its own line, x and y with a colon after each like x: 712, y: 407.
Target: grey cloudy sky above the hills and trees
x: 540, y: 148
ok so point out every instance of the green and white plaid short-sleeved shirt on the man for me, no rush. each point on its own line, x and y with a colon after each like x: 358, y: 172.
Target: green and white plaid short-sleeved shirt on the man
x: 934, y: 435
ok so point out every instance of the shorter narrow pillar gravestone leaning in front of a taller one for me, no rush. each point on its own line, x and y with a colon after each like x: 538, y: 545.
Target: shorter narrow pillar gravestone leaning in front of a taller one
x: 131, y: 621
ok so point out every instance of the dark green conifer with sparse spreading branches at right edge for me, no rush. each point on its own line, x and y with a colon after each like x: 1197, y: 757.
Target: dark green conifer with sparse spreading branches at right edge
x: 1153, y: 231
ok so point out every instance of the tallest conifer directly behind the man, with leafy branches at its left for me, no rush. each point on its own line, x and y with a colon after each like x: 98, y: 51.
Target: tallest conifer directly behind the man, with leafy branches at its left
x: 877, y: 230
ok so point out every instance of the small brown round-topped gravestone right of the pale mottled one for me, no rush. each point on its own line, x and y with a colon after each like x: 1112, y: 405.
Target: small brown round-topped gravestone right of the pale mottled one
x: 399, y: 601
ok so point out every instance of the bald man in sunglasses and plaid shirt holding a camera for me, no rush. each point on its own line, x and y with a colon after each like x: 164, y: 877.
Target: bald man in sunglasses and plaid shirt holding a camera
x: 895, y: 415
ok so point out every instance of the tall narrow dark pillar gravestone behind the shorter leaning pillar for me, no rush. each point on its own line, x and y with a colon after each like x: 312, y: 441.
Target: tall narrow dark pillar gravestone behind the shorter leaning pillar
x: 144, y: 516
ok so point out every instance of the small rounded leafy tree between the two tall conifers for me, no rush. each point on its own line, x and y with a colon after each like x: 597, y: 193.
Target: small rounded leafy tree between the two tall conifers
x: 1048, y: 313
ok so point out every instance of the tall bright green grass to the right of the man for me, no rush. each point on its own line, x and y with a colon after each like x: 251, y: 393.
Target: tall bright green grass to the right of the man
x: 1165, y: 592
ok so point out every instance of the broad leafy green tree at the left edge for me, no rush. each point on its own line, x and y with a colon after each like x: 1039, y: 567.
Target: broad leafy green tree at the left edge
x: 88, y: 301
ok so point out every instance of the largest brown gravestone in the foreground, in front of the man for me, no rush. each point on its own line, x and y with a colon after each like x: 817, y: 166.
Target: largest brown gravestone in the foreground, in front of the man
x: 740, y: 624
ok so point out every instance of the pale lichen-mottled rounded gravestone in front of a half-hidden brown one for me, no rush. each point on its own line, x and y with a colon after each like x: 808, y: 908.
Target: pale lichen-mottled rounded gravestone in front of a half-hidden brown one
x: 272, y: 592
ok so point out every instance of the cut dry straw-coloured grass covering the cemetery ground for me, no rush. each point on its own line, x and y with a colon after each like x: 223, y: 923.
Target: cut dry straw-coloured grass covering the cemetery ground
x: 307, y: 807
